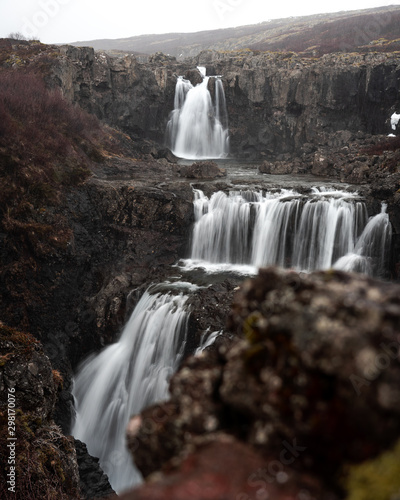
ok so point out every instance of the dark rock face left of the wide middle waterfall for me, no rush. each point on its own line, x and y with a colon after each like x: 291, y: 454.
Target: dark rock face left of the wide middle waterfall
x: 127, y: 227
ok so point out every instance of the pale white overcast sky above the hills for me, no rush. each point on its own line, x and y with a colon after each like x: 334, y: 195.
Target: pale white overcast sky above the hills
x: 62, y: 21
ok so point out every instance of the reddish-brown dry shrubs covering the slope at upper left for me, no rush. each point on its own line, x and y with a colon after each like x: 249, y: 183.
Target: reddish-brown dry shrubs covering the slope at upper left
x: 46, y: 146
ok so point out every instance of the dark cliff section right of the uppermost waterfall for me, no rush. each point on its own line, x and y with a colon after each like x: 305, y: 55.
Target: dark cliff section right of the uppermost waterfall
x: 278, y: 102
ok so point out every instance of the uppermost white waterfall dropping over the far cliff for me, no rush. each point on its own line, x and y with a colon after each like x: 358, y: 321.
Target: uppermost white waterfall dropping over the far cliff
x: 197, y: 127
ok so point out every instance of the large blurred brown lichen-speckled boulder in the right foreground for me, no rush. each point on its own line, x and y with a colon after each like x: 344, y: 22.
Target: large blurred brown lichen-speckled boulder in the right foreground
x: 309, y: 383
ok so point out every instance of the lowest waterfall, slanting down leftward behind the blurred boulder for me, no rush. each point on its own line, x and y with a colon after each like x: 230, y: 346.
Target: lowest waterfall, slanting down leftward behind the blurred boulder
x: 125, y: 377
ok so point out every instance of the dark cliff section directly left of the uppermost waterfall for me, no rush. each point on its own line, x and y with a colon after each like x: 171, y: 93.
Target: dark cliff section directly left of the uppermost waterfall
x: 134, y: 97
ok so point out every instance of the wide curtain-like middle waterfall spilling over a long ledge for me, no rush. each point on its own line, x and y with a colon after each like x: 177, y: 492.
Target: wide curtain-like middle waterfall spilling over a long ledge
x: 285, y: 228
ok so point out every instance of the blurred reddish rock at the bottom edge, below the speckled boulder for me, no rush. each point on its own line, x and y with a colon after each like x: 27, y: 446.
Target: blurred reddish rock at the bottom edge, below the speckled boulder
x: 225, y: 468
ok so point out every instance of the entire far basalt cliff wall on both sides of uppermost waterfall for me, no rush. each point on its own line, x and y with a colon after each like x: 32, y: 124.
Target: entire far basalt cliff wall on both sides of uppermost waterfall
x: 277, y: 102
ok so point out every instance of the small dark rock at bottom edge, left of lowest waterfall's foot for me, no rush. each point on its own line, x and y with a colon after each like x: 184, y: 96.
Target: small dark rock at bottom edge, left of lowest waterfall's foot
x: 92, y: 480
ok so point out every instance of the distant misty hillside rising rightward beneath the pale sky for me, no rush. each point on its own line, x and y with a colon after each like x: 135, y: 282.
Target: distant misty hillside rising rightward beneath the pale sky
x: 362, y: 30
